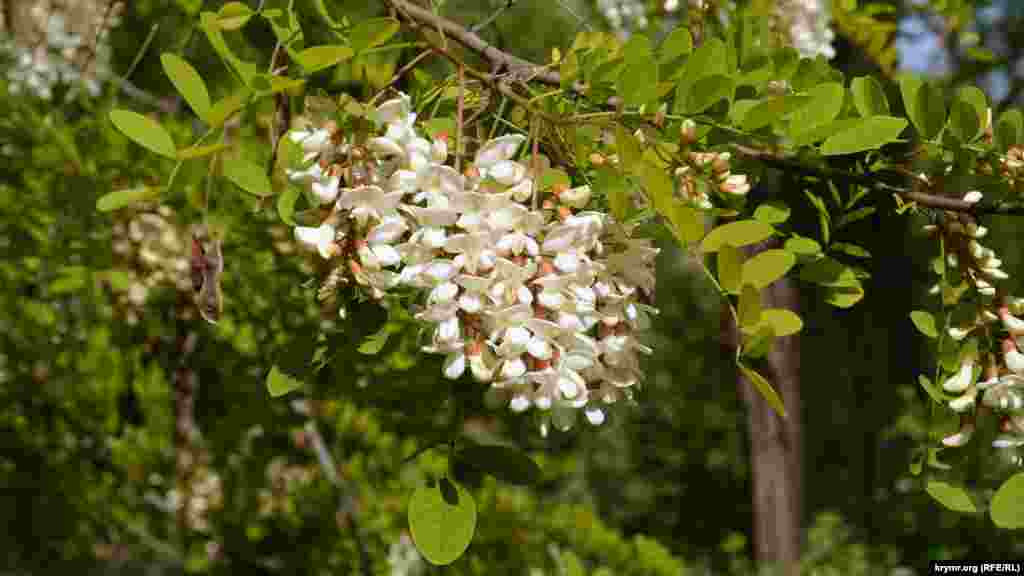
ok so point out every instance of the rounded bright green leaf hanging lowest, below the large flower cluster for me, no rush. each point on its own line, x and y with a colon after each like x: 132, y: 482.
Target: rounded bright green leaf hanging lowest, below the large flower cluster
x: 442, y: 522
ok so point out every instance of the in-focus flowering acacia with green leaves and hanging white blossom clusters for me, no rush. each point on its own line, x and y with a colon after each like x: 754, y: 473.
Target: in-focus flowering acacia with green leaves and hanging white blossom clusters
x: 533, y: 276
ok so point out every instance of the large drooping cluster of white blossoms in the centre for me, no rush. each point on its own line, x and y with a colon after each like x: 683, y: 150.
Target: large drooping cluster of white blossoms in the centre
x: 543, y: 303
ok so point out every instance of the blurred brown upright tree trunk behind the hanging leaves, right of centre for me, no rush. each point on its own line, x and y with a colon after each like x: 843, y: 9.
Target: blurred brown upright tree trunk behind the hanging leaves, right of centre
x: 775, y: 442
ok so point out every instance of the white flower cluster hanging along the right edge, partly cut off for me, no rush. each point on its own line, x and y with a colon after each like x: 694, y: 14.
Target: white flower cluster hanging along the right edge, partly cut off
x: 1002, y: 386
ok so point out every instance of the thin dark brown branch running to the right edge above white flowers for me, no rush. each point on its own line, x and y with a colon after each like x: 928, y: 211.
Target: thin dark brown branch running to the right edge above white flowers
x: 875, y: 183
